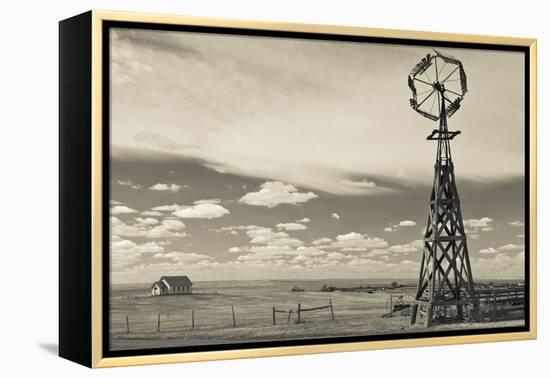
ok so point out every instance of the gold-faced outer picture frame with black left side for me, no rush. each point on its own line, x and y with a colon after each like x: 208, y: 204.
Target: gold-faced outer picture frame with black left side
x: 90, y: 329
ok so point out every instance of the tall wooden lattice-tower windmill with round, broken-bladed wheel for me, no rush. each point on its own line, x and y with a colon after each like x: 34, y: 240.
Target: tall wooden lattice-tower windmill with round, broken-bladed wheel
x: 438, y: 85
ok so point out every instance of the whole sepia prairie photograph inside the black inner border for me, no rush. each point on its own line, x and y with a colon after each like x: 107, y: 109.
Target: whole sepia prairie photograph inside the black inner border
x: 299, y: 188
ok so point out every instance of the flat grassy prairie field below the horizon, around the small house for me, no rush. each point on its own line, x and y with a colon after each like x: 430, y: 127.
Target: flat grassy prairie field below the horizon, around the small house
x: 134, y: 314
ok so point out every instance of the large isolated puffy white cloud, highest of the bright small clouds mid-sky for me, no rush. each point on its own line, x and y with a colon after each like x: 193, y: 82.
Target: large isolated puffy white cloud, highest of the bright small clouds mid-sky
x: 273, y: 193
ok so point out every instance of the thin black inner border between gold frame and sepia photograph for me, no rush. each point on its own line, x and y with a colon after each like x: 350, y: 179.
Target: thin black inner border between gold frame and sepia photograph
x: 106, y: 149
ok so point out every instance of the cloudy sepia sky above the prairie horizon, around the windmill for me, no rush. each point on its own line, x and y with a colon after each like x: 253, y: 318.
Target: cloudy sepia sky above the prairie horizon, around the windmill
x: 239, y: 157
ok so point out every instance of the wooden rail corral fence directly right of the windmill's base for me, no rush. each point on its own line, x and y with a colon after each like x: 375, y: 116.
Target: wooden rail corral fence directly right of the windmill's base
x: 501, y: 300
